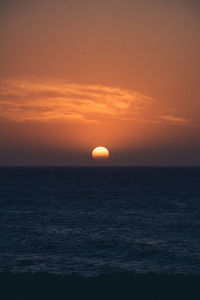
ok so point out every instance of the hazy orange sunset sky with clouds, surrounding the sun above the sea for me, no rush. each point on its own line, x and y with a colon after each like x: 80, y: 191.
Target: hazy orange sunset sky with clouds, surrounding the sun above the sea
x: 78, y: 74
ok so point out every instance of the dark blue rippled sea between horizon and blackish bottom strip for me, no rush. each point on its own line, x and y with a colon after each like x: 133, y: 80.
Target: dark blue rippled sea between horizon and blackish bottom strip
x: 98, y: 220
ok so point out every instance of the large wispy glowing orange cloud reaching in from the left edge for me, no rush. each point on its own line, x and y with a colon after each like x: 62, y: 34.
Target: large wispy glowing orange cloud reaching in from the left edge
x: 57, y: 100
